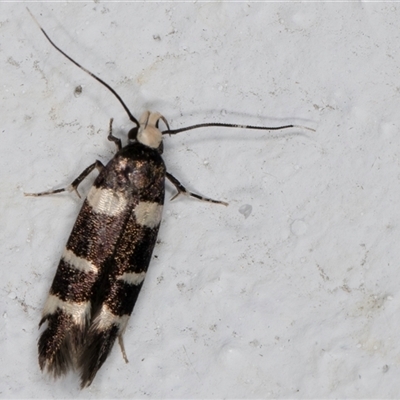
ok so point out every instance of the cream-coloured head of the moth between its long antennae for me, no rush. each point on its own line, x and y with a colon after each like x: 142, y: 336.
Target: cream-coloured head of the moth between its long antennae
x: 148, y: 132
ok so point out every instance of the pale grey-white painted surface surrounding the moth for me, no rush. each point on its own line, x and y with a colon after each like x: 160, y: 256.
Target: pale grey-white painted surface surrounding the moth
x: 299, y: 300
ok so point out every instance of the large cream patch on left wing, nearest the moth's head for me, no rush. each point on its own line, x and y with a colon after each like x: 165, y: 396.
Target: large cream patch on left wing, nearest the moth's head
x: 106, y: 201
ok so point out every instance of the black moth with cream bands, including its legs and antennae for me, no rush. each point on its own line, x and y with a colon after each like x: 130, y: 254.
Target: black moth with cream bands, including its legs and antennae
x: 105, y: 260
